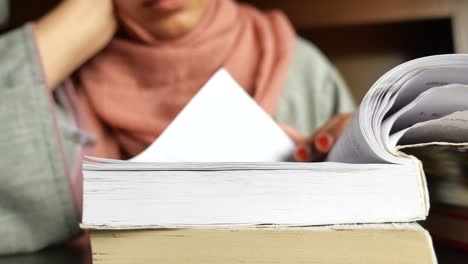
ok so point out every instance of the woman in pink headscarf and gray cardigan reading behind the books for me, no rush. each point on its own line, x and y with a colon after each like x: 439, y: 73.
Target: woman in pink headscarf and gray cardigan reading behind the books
x: 122, y: 89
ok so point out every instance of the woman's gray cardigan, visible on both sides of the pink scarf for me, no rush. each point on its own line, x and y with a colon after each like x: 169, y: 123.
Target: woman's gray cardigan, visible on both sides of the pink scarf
x: 38, y: 139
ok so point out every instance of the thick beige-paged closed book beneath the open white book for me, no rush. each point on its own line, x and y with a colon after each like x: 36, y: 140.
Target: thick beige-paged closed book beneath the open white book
x: 387, y: 243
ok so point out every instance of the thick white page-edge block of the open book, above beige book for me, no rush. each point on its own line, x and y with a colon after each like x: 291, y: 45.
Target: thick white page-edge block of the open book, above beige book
x: 309, y: 194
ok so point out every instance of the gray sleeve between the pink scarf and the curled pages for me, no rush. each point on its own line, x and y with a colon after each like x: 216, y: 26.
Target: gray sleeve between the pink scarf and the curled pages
x: 313, y: 92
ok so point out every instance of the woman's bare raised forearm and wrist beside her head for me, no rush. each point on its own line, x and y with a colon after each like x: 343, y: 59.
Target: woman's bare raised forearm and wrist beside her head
x: 71, y: 34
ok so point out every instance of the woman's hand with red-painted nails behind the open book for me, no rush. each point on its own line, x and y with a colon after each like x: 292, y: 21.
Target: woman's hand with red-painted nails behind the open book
x: 318, y: 145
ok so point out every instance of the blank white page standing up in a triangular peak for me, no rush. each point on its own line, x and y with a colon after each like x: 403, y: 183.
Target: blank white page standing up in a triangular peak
x: 221, y: 123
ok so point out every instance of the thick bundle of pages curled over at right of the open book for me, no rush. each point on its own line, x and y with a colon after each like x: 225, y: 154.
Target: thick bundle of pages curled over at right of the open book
x: 366, y: 140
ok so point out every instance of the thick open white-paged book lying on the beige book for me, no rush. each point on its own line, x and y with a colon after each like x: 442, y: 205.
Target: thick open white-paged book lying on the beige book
x: 367, y: 178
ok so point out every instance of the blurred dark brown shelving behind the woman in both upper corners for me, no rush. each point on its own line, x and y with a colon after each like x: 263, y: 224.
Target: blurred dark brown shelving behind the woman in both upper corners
x: 363, y: 38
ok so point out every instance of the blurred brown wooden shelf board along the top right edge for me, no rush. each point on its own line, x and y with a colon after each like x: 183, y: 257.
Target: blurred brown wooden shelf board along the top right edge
x: 306, y: 14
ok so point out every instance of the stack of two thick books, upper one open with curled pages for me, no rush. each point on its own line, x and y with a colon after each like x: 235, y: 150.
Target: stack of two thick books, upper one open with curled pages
x: 216, y: 186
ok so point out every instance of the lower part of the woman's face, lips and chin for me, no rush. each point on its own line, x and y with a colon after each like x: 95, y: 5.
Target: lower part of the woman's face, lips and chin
x: 164, y: 19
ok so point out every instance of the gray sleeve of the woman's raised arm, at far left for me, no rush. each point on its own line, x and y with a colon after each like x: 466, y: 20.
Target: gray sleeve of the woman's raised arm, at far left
x: 36, y: 208
